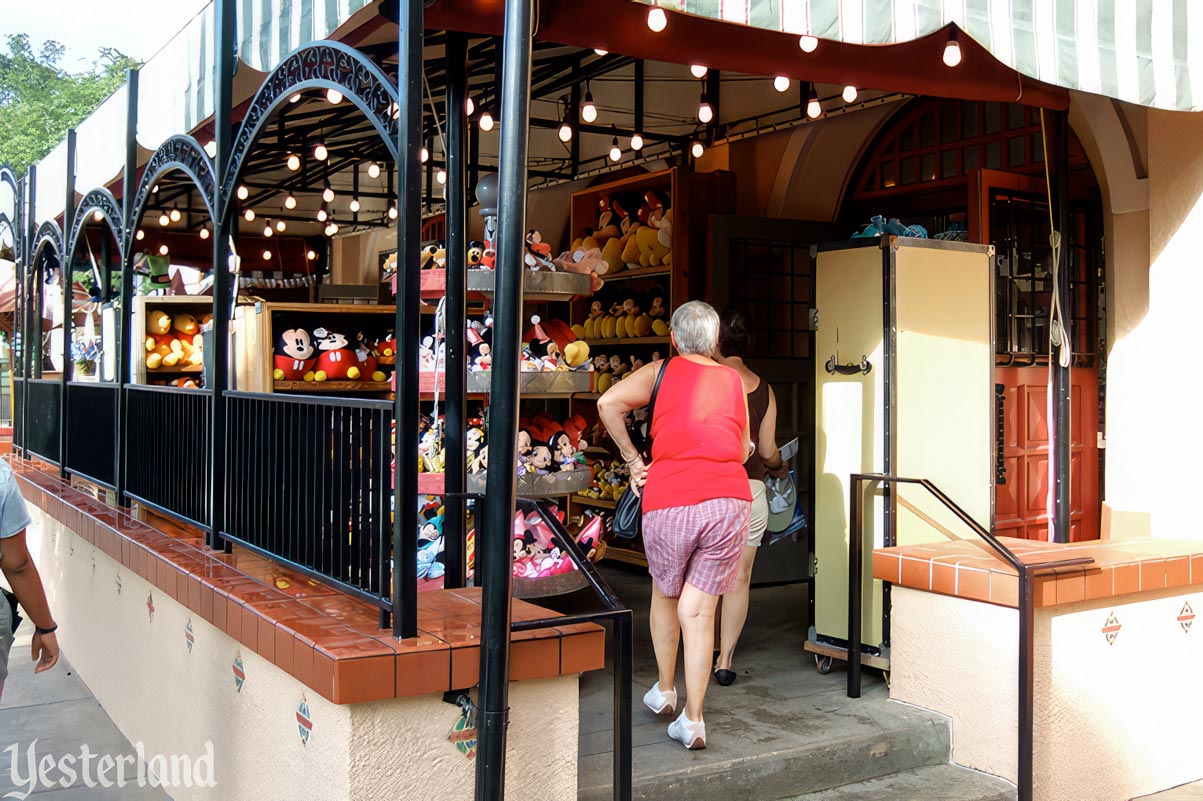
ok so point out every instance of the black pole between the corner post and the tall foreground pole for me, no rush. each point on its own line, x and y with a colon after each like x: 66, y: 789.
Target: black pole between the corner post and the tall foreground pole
x: 455, y: 524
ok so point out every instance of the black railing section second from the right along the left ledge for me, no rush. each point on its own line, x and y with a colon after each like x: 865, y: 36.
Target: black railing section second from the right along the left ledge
x: 169, y: 450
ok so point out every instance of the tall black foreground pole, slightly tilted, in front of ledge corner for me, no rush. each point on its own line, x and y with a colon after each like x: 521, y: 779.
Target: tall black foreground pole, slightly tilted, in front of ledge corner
x: 495, y: 652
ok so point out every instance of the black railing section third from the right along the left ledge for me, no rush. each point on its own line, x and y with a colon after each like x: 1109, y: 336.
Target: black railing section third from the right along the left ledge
x: 92, y: 432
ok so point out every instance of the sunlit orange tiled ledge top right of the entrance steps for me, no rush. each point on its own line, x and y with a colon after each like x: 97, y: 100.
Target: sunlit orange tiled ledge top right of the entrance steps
x: 970, y: 569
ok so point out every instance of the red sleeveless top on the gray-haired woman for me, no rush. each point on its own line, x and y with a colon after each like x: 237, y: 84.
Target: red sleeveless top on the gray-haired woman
x: 698, y: 446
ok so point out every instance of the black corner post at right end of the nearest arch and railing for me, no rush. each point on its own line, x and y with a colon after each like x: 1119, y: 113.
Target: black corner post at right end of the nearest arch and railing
x: 411, y: 39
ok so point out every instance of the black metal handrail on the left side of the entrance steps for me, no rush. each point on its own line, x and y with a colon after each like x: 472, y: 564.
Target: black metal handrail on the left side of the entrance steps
x: 621, y: 642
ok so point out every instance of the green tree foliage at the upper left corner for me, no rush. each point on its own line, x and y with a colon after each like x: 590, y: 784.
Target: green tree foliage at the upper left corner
x: 40, y: 102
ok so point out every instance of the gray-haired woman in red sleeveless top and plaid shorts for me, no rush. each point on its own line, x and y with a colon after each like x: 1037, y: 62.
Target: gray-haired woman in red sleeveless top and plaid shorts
x: 696, y: 502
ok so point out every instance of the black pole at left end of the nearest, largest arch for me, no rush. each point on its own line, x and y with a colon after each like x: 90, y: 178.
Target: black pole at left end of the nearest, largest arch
x: 224, y: 227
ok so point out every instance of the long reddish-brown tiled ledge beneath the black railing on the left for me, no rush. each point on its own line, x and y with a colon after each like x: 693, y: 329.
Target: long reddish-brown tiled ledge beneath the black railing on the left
x: 325, y: 639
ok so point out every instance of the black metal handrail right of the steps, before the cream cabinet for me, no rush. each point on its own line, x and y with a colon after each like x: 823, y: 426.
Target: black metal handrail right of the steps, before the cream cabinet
x: 1026, y: 571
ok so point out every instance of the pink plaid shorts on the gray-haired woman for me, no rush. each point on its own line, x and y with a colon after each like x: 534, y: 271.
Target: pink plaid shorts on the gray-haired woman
x: 698, y: 544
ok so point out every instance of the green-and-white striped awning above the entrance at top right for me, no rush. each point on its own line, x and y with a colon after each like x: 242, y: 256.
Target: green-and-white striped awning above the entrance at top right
x: 1147, y: 52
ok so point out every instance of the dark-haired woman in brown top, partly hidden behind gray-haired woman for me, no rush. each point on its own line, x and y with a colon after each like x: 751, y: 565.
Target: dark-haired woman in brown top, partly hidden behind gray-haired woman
x: 734, y: 342
